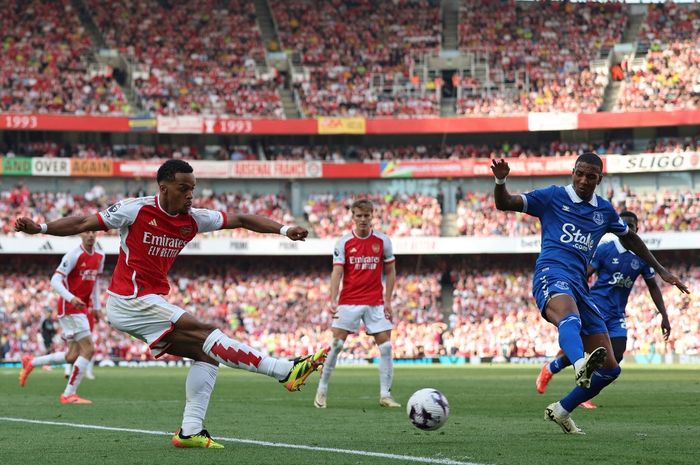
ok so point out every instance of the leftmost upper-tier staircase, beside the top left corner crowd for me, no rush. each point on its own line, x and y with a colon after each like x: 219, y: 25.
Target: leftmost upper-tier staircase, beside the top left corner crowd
x: 105, y: 56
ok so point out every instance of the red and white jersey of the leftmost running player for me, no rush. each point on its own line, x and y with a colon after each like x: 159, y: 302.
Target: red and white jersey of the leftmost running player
x: 79, y: 270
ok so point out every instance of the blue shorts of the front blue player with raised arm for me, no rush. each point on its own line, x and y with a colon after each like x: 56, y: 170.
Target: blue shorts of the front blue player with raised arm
x: 548, y: 282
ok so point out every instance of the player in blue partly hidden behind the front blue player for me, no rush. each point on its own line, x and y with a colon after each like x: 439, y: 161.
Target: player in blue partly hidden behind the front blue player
x: 617, y: 269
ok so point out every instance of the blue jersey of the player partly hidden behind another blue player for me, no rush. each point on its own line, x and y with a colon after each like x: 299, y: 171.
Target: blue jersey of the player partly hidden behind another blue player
x: 617, y: 270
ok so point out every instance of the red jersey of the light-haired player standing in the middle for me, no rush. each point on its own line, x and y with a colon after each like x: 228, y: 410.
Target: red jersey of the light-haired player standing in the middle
x: 363, y: 260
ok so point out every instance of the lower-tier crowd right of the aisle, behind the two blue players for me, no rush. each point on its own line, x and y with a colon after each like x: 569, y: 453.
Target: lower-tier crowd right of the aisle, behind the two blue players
x: 494, y: 314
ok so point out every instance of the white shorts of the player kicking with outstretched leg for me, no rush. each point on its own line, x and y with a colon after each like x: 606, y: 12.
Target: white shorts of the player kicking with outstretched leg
x: 148, y: 318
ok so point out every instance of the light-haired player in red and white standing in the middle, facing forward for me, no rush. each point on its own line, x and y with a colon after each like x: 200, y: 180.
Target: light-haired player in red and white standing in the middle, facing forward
x: 358, y: 260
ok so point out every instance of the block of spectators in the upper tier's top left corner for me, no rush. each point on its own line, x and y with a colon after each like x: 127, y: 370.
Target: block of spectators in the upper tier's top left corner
x: 46, y: 63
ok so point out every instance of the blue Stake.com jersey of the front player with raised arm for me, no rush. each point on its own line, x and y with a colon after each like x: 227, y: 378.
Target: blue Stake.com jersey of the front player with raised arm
x: 571, y: 227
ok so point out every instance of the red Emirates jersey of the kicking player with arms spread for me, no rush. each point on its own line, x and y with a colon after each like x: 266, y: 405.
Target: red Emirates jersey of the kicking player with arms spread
x: 151, y: 240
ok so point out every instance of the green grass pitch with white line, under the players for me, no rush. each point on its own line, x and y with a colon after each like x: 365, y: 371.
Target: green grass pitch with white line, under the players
x: 649, y: 416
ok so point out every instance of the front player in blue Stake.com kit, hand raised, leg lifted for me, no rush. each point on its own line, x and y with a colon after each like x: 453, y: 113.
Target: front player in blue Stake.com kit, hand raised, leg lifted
x: 573, y: 220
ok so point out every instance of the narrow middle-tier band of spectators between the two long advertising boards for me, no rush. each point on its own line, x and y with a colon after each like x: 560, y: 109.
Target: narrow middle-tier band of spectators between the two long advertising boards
x: 329, y: 215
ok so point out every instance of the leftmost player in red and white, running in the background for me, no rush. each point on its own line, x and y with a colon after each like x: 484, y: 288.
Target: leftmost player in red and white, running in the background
x: 75, y: 281
